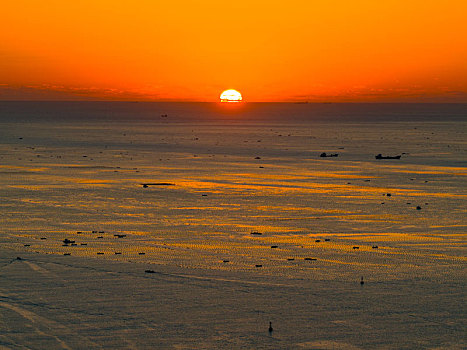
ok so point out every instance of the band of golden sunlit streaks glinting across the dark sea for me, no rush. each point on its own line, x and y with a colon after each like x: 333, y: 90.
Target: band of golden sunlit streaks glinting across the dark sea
x: 206, y: 218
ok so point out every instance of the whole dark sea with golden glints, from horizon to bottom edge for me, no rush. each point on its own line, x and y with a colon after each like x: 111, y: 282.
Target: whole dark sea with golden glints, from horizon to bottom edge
x: 235, y: 204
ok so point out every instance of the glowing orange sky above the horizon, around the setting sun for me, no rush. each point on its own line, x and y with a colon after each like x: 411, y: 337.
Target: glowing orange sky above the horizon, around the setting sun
x: 191, y: 50
